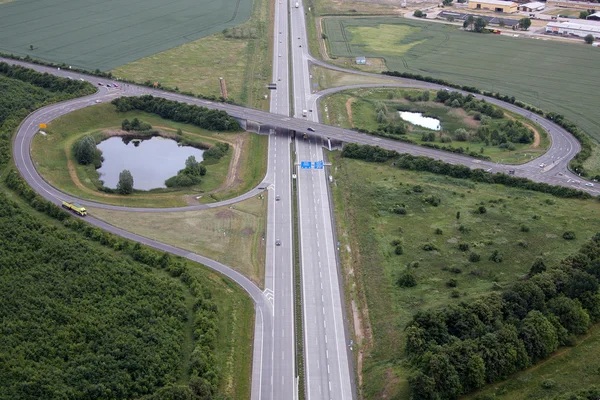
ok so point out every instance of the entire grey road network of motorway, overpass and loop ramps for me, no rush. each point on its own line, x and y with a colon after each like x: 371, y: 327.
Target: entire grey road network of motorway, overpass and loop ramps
x: 273, y: 364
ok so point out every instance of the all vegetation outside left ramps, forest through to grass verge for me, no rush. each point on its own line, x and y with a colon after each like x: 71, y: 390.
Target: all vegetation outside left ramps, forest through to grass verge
x: 77, y: 325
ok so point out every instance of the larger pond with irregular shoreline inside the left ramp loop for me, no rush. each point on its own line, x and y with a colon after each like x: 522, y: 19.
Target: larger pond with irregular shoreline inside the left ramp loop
x: 150, y: 161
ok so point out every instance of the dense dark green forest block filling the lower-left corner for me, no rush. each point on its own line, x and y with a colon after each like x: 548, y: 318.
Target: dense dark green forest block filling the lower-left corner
x: 79, y: 322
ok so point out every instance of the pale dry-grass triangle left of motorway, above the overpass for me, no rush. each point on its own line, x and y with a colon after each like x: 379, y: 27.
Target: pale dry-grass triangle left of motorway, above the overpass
x: 242, y: 60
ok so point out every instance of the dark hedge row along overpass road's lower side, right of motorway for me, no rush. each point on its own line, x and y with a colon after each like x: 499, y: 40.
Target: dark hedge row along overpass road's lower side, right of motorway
x: 420, y: 163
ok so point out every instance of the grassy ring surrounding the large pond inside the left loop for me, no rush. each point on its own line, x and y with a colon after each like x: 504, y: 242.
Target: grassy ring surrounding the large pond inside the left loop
x: 57, y: 165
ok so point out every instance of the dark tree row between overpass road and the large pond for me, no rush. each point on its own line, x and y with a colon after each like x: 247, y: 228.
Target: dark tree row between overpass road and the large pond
x: 179, y: 112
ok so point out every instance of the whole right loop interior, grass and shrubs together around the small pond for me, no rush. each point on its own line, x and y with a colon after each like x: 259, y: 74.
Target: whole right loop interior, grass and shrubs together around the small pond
x: 376, y: 109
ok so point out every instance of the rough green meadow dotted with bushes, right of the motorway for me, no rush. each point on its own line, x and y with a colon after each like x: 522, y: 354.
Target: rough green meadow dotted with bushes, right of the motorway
x: 520, y: 224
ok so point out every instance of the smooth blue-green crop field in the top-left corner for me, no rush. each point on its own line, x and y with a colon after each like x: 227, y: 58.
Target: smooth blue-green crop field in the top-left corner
x: 104, y: 35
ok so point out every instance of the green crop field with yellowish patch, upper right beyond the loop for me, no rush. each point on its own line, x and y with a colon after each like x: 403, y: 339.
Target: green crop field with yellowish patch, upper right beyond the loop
x: 551, y: 75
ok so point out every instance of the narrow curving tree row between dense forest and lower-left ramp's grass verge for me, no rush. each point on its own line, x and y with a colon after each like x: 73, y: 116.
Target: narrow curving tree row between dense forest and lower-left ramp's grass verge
x: 204, y: 376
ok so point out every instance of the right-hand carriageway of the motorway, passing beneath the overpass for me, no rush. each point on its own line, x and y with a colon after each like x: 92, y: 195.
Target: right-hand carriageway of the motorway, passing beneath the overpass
x: 329, y: 373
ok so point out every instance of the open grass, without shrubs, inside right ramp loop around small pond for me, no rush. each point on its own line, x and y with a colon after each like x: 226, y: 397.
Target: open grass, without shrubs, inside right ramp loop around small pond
x: 363, y: 104
